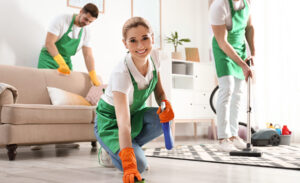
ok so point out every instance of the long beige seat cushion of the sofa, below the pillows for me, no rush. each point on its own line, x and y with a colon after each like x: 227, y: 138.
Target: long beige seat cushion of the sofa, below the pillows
x: 46, y: 114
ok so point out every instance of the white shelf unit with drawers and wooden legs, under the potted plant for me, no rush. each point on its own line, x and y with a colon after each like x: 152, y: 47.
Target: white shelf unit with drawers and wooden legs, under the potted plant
x: 192, y: 83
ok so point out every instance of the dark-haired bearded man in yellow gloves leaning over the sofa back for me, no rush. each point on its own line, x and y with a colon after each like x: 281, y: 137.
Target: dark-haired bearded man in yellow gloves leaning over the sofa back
x: 66, y: 36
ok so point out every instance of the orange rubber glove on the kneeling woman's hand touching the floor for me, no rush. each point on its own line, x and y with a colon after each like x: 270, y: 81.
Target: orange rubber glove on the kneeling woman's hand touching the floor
x: 129, y: 165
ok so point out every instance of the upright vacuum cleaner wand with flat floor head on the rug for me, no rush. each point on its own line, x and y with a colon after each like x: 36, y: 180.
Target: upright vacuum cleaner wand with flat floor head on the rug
x: 248, y: 151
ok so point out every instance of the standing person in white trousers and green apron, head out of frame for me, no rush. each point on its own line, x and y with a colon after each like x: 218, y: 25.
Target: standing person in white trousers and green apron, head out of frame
x: 232, y: 27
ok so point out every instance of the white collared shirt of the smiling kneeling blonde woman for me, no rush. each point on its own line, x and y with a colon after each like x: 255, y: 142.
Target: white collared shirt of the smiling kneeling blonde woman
x: 120, y: 79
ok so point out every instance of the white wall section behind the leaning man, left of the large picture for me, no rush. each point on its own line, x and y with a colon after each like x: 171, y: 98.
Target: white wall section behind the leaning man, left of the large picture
x: 24, y: 25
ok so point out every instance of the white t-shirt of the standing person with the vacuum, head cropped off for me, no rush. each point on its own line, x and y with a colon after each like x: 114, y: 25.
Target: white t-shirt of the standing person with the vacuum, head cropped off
x: 220, y: 12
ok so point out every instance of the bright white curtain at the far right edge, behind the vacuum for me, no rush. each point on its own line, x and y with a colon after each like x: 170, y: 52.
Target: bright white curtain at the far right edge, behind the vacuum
x: 277, y: 88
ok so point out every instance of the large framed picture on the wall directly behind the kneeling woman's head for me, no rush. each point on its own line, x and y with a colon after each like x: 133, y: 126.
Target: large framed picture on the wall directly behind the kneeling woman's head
x: 151, y: 11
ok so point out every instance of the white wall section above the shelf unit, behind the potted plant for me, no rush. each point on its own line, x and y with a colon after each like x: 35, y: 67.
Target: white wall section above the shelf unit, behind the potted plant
x: 190, y: 19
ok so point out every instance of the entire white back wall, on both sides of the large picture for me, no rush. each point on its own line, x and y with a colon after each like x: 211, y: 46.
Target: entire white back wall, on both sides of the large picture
x: 24, y: 25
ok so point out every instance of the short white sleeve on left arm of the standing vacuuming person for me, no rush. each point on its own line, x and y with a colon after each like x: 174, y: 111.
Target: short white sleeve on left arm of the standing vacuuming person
x: 218, y: 12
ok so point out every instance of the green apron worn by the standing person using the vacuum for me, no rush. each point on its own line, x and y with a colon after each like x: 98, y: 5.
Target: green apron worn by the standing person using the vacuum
x: 236, y: 38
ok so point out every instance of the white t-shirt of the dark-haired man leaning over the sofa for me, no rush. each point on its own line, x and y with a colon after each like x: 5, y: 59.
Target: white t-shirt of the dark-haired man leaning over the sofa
x: 59, y: 26
